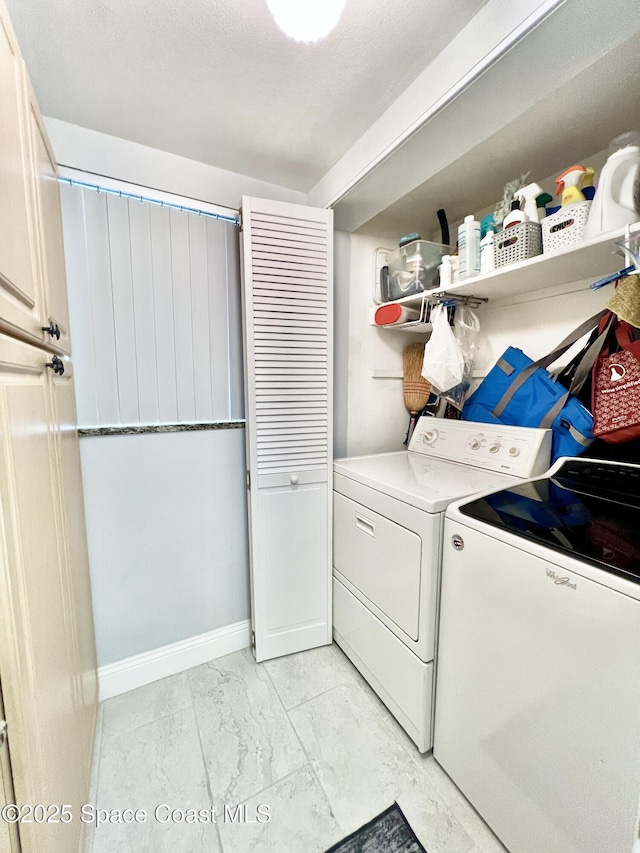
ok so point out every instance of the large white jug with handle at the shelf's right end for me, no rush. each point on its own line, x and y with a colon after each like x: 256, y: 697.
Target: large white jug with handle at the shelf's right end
x: 613, y: 205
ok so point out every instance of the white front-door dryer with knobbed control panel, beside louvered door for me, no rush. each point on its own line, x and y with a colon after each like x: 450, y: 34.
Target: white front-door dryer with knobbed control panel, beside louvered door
x: 387, y: 540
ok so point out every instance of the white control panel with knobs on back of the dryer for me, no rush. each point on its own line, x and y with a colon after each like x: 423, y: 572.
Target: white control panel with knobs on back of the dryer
x: 520, y: 451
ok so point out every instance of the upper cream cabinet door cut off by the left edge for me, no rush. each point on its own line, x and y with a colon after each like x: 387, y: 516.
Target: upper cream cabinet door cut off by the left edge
x: 20, y: 295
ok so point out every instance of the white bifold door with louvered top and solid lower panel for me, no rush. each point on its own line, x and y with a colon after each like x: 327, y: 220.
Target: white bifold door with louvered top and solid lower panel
x: 287, y: 253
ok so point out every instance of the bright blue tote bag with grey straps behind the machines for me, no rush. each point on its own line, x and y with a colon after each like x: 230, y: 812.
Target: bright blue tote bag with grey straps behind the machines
x: 518, y: 391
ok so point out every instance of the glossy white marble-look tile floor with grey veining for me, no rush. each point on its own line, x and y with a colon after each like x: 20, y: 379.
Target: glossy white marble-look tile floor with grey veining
x: 301, y: 739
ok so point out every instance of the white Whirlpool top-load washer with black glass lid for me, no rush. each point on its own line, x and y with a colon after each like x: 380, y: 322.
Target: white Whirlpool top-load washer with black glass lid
x: 538, y: 696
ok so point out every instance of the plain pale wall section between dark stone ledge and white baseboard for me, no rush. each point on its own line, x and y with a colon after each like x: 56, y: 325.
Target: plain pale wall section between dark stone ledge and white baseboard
x: 166, y: 524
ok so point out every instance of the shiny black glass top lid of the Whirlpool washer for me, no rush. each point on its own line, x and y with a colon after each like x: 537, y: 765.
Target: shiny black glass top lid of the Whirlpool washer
x: 589, y: 509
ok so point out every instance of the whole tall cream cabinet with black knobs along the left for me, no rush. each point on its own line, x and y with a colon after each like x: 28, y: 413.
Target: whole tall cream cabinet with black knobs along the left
x: 47, y: 646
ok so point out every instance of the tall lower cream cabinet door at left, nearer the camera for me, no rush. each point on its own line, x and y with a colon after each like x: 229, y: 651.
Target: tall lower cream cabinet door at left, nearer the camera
x: 36, y: 653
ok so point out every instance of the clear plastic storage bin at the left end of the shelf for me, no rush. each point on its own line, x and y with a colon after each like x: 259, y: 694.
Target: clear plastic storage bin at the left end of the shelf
x: 413, y: 269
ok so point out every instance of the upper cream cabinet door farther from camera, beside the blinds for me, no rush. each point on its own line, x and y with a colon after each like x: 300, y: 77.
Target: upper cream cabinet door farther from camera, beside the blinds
x: 49, y: 229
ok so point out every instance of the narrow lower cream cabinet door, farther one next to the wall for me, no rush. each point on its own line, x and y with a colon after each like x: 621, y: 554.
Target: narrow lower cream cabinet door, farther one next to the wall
x: 76, y: 561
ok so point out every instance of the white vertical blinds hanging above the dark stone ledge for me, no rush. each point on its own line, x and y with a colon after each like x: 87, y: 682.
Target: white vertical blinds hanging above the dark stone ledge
x: 155, y: 297
